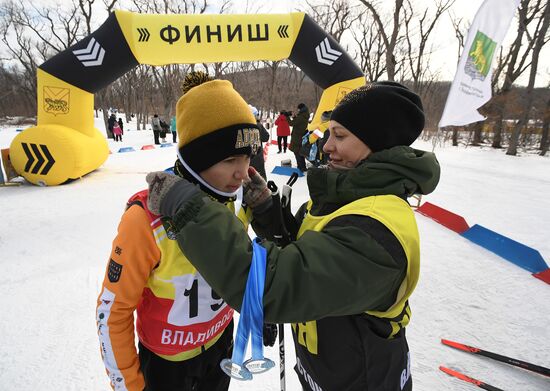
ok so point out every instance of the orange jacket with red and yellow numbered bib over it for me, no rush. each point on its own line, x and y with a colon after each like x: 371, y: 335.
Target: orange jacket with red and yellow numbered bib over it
x: 178, y: 315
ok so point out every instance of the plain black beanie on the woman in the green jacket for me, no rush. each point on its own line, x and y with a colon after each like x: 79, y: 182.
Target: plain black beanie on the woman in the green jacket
x: 381, y: 114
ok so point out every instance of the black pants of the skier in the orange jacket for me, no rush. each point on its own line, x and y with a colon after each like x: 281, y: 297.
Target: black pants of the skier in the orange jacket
x: 201, y: 373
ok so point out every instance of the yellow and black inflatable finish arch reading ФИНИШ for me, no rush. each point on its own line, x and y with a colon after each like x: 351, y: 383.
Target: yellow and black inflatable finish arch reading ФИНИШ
x: 65, y: 145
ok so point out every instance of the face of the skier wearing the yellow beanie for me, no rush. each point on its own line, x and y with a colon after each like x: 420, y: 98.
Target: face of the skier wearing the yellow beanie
x: 227, y: 176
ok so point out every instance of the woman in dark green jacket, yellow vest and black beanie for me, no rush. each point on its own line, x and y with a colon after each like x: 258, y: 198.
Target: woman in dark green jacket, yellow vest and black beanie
x: 345, y: 281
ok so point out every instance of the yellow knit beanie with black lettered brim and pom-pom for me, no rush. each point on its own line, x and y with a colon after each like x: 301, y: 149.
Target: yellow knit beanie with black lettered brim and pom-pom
x: 213, y: 122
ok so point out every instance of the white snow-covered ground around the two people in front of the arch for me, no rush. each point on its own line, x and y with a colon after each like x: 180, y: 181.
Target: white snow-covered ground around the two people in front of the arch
x: 55, y: 242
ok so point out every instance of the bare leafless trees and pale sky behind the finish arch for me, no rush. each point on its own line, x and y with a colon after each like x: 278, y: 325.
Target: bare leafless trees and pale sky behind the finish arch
x: 389, y: 40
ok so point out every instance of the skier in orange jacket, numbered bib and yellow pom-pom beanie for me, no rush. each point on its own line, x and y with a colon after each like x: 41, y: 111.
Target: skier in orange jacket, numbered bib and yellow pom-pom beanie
x: 184, y: 327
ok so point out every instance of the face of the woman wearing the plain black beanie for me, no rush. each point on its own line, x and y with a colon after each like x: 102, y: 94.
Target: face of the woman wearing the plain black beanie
x: 345, y: 150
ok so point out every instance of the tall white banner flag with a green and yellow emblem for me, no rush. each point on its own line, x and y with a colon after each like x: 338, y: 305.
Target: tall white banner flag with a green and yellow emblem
x: 471, y: 86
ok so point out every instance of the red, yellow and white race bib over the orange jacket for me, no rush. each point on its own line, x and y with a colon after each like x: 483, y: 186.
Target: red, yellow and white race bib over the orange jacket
x: 180, y: 324
